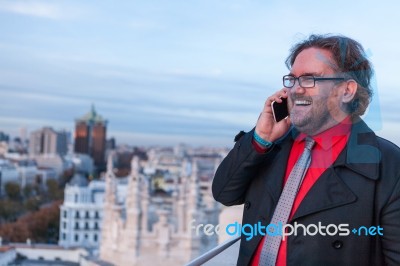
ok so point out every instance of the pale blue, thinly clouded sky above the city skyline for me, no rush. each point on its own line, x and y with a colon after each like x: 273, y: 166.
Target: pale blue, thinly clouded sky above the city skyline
x: 167, y: 72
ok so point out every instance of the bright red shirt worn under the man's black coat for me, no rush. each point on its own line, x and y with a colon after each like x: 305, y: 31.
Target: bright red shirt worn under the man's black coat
x: 327, y: 148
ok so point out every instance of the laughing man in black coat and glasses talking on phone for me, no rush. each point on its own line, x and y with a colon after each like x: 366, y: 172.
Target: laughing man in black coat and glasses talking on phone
x: 321, y: 169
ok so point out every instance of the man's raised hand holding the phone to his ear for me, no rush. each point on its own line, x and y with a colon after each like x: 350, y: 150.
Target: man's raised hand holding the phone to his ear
x: 266, y: 126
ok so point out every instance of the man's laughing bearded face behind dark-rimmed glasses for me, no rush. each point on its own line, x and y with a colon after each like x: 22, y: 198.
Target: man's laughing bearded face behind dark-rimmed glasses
x: 313, y: 110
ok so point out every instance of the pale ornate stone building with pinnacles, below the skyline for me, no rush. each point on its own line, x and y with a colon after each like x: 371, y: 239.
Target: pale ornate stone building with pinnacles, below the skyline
x: 154, y: 227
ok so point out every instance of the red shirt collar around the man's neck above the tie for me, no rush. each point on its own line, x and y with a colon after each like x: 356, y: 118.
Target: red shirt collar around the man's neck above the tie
x: 328, y: 138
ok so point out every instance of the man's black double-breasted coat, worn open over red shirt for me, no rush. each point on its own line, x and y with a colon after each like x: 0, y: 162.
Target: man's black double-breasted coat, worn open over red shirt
x: 361, y: 188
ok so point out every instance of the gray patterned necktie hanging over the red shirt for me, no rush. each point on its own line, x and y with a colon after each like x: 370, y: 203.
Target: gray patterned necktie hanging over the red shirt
x: 271, y: 245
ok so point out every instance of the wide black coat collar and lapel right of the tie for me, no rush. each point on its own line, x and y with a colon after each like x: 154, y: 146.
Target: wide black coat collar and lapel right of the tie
x: 361, y: 155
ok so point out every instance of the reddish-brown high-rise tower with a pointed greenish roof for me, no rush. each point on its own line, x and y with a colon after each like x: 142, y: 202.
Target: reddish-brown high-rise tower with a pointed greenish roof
x: 90, y: 137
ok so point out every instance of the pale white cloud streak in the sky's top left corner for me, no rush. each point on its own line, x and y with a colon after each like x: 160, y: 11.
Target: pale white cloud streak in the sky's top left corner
x: 36, y: 9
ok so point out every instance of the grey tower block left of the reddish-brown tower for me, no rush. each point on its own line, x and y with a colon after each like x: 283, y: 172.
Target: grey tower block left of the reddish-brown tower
x: 48, y: 141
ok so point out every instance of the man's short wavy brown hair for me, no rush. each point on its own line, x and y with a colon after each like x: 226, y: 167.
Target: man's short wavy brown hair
x: 350, y: 59
